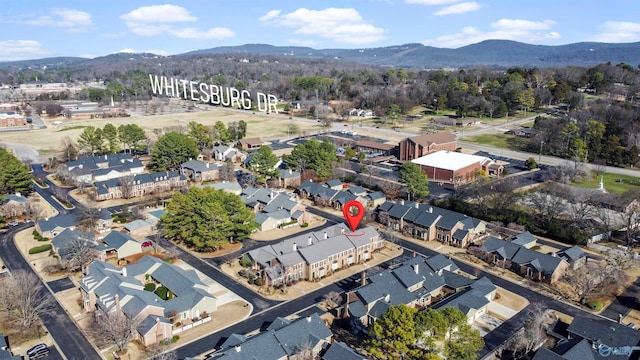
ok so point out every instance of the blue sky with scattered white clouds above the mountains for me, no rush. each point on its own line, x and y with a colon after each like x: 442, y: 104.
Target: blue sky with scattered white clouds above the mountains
x: 34, y: 29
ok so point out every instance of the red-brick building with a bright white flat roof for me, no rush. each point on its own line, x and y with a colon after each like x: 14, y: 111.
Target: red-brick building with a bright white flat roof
x: 456, y: 168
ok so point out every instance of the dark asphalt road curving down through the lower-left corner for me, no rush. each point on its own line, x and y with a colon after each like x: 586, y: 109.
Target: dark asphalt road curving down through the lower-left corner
x: 64, y: 331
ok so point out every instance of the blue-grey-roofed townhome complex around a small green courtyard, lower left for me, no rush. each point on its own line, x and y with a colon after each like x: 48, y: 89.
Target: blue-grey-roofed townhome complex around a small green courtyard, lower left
x: 185, y: 301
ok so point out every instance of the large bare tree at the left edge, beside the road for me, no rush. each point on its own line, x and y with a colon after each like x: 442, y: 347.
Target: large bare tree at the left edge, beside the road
x: 24, y: 297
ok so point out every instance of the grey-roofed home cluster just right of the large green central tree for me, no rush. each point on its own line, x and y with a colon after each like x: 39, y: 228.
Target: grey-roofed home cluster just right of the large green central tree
x: 274, y: 209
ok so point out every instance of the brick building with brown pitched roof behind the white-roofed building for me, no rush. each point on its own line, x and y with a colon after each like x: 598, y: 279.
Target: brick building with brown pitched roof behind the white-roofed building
x: 419, y: 146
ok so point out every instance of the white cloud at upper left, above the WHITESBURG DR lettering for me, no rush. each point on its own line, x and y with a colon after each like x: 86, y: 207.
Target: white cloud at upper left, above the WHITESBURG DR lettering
x: 161, y: 19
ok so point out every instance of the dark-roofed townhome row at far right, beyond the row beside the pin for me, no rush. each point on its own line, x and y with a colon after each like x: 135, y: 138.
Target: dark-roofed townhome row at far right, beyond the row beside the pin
x: 525, y: 262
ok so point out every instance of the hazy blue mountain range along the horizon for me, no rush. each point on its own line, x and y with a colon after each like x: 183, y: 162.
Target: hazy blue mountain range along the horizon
x: 490, y: 53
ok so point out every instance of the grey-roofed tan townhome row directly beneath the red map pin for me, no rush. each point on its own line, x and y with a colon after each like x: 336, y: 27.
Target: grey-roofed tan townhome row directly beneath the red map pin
x: 315, y: 255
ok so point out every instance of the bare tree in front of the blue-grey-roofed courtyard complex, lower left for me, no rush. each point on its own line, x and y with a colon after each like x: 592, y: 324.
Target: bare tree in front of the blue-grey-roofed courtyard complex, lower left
x: 114, y: 328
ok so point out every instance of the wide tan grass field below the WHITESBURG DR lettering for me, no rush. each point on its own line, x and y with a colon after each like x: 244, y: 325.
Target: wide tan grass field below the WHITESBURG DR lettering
x: 258, y: 125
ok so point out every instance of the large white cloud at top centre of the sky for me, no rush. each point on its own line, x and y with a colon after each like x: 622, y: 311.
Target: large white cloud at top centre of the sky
x: 342, y: 25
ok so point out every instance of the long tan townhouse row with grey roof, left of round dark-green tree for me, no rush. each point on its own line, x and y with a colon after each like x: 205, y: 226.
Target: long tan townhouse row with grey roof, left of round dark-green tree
x: 139, y: 185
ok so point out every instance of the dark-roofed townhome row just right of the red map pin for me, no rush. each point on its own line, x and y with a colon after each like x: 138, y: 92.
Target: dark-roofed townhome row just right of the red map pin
x: 429, y: 223
